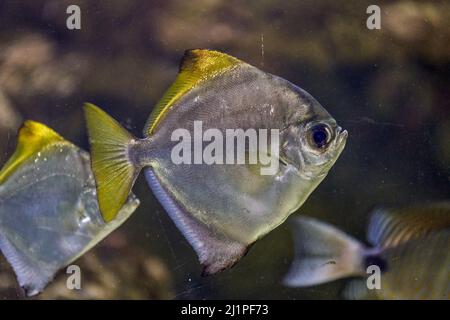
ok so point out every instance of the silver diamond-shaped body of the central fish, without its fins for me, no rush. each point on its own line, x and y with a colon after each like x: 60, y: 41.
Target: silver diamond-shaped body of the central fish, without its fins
x: 233, y: 199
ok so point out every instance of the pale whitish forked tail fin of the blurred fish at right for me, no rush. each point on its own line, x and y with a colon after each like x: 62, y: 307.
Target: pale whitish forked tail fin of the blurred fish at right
x: 322, y: 254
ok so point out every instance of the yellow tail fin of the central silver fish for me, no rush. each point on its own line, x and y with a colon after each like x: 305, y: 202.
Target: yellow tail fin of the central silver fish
x: 114, y: 173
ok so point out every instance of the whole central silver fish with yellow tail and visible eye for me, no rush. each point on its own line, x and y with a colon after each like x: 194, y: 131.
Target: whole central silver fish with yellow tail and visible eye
x: 220, y: 209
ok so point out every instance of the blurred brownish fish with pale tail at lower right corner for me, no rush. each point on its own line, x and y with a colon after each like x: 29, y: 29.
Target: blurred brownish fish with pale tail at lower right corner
x: 411, y: 246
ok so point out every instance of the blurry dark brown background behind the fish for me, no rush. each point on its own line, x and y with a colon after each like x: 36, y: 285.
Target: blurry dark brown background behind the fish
x: 389, y: 88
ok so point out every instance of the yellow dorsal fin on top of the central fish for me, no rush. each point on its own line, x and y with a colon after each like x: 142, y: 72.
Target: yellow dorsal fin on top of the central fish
x: 197, y: 65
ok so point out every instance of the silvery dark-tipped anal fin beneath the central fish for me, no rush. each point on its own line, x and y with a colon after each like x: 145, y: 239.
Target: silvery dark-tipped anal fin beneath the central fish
x: 215, y: 251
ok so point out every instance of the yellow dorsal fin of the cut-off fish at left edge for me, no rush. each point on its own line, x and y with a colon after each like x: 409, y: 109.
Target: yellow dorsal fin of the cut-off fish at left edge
x: 33, y: 137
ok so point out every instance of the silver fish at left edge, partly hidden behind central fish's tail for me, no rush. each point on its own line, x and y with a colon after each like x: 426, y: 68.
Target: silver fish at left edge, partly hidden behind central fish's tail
x: 49, y: 214
